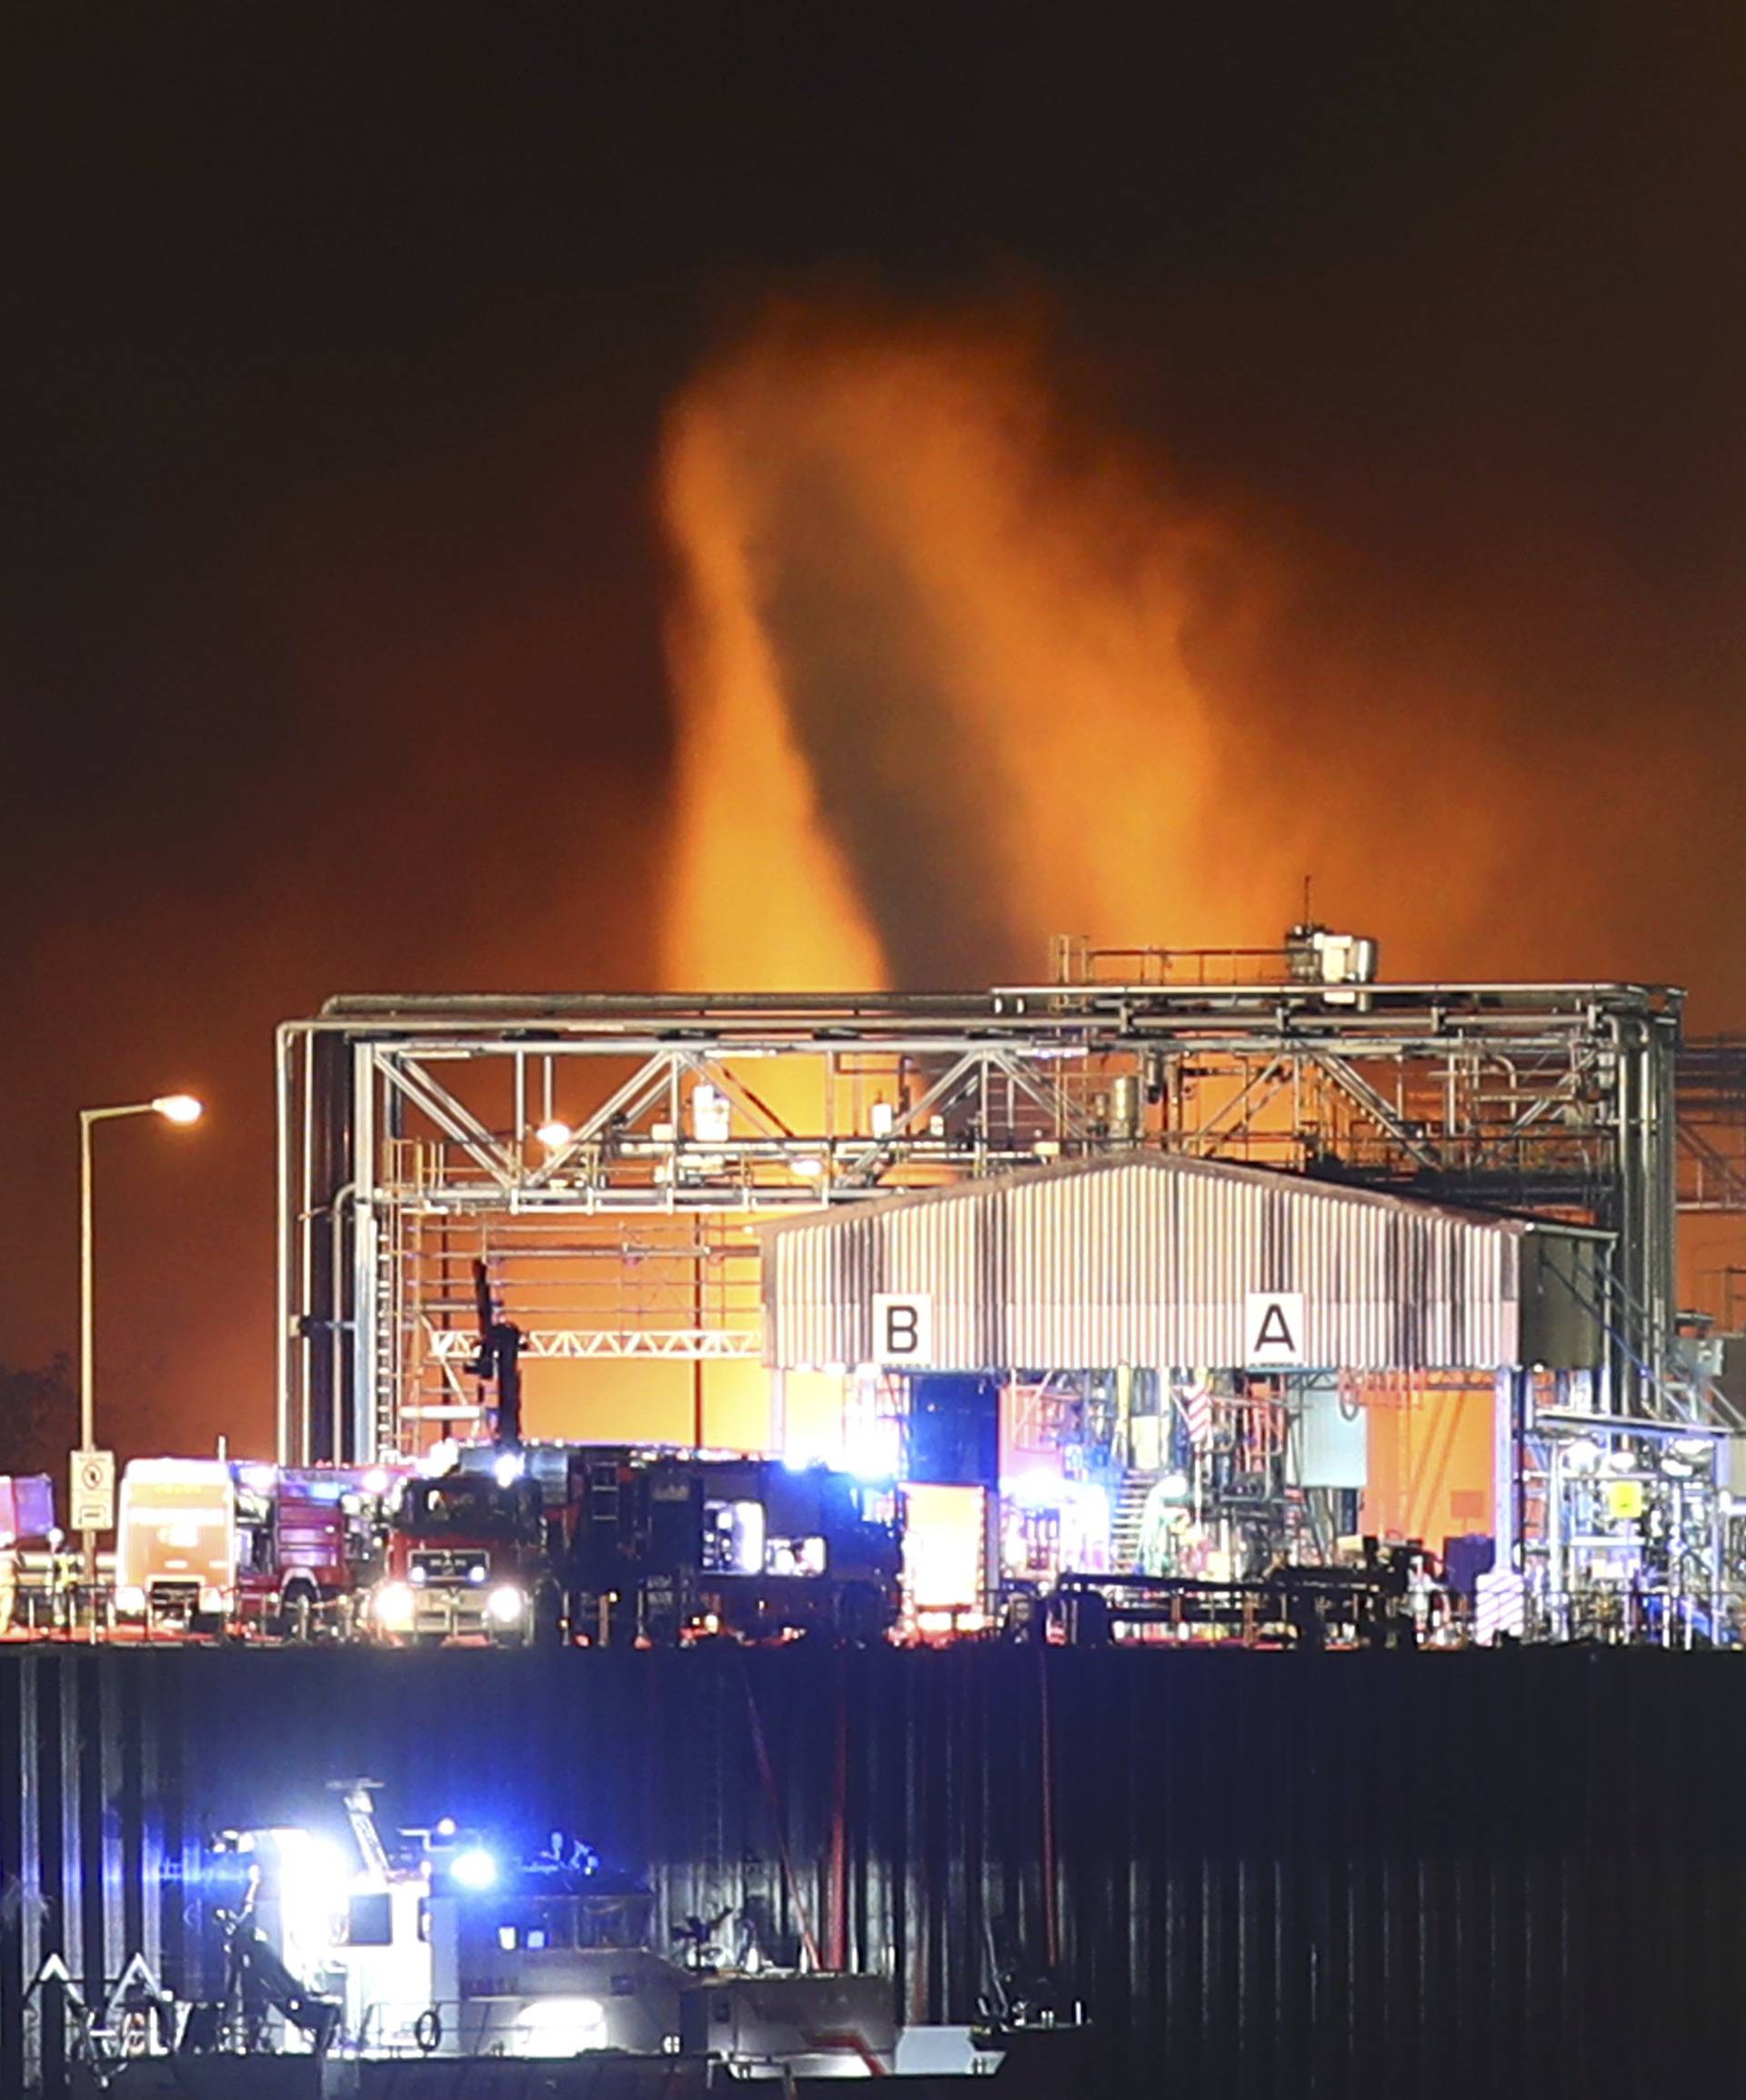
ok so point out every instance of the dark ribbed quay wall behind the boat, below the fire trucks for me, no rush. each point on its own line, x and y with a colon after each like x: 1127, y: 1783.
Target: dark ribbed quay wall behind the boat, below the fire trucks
x: 1472, y: 1874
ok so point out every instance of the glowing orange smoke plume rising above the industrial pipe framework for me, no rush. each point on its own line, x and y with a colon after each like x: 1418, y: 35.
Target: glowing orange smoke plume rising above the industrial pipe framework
x: 960, y: 671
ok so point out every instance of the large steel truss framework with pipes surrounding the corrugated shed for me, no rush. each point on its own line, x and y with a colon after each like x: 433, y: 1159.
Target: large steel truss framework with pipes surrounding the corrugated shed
x: 408, y: 1143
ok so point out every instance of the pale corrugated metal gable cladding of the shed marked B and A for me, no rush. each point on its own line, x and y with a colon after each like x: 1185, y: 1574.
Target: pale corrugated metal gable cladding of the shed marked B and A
x: 1155, y: 1261
